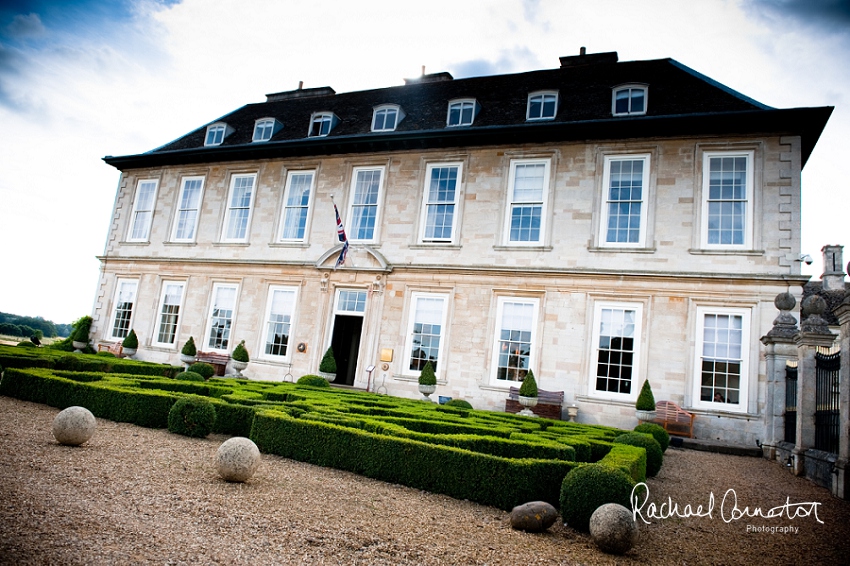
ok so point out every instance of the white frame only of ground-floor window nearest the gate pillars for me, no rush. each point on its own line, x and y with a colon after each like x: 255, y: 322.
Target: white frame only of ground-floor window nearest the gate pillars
x: 744, y: 378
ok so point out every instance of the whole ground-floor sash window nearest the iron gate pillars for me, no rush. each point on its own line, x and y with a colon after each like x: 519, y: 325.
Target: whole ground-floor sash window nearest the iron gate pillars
x: 722, y: 364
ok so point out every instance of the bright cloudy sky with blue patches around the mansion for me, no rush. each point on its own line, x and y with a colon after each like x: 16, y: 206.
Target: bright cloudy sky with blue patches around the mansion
x: 81, y: 80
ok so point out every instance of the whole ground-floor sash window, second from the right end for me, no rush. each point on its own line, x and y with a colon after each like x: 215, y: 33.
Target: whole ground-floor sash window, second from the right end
x: 616, y: 343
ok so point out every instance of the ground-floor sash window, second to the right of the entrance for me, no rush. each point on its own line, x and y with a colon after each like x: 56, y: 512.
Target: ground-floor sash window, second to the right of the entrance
x: 516, y: 322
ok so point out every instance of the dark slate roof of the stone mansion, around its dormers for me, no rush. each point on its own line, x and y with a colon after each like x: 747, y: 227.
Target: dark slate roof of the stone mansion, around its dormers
x: 680, y: 102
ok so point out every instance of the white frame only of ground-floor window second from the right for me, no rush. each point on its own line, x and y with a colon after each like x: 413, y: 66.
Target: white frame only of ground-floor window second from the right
x: 636, y: 378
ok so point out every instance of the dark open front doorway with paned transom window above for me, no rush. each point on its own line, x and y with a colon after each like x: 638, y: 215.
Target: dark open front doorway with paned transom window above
x: 349, y: 307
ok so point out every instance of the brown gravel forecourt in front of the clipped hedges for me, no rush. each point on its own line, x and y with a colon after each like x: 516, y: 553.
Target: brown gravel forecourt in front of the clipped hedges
x: 133, y: 495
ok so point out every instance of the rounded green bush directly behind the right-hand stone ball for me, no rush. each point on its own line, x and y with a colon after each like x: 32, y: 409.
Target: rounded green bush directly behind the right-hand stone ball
x: 586, y: 488
